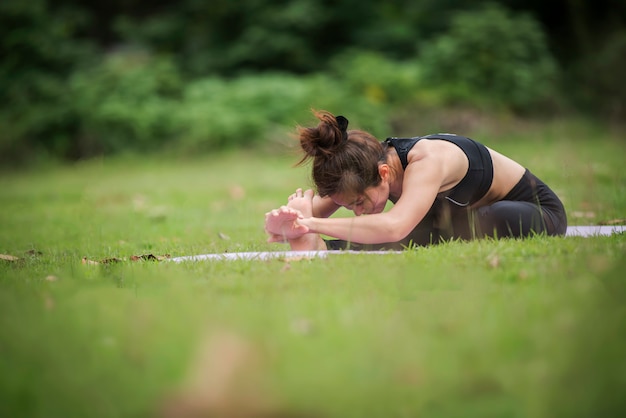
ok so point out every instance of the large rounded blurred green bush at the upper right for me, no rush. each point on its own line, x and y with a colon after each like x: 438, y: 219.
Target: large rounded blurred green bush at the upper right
x: 492, y: 54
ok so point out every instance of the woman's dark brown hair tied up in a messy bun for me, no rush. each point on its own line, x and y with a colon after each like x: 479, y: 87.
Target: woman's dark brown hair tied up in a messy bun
x: 343, y: 161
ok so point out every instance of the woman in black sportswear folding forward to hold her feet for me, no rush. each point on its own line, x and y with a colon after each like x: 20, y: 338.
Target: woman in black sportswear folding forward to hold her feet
x: 443, y: 187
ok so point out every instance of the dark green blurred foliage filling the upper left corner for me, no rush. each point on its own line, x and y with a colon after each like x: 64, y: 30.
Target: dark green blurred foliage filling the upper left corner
x: 39, y: 51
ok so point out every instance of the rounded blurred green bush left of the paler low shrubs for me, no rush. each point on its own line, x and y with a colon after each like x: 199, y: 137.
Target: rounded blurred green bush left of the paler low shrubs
x: 126, y: 101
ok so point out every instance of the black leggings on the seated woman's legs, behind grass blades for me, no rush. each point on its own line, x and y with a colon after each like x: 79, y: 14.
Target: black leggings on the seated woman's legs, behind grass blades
x: 530, y: 208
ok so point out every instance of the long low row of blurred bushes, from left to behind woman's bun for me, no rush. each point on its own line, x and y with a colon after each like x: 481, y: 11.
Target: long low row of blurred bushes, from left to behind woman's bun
x: 134, y: 101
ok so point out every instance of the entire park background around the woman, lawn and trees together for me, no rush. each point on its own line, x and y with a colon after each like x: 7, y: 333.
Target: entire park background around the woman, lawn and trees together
x: 136, y: 131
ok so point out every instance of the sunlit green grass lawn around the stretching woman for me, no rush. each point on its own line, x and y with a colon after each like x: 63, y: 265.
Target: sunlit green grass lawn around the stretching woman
x: 507, y: 328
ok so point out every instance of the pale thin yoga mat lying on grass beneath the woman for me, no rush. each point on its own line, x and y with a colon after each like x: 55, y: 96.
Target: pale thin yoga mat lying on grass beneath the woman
x: 572, y: 231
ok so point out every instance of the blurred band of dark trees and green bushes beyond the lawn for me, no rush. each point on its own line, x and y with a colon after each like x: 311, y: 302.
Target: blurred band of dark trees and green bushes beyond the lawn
x: 80, y: 78
